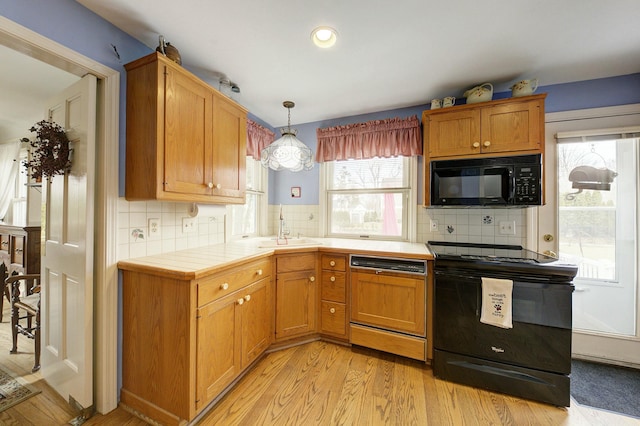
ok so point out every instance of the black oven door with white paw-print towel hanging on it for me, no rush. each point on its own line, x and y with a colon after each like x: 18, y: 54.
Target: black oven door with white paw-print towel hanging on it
x: 541, y: 333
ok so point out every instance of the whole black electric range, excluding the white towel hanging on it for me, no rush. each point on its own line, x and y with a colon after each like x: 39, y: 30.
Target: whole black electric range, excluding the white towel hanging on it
x: 531, y: 358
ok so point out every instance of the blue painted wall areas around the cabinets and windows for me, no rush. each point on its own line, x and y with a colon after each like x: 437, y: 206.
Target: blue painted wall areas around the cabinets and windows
x: 74, y: 26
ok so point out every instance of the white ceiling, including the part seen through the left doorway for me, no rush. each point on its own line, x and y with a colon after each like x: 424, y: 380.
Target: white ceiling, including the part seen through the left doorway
x: 388, y: 54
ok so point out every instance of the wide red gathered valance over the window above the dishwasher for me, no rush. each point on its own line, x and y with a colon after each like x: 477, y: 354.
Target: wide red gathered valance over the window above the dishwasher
x: 391, y: 137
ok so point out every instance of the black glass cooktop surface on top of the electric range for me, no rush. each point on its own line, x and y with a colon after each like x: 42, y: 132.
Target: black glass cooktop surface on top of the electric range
x: 513, y: 259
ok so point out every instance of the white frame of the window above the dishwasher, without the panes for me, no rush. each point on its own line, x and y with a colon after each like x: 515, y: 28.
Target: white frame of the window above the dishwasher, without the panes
x: 408, y: 233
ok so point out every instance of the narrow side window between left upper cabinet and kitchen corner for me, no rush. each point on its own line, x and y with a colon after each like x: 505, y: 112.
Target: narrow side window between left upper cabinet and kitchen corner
x: 249, y: 219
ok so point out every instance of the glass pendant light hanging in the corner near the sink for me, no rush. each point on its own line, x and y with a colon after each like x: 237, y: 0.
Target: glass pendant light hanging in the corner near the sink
x: 287, y: 153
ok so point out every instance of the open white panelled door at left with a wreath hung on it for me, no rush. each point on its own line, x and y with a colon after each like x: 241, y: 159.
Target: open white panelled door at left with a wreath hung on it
x: 67, y: 254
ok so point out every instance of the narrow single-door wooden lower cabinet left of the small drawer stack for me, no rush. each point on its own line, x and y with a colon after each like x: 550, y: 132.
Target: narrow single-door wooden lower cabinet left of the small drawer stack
x: 296, y: 295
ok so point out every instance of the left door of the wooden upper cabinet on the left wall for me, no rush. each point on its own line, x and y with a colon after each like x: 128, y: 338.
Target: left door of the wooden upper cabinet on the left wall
x: 188, y: 134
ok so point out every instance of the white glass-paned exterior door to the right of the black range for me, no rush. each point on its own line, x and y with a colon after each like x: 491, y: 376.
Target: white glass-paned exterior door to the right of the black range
x: 597, y: 205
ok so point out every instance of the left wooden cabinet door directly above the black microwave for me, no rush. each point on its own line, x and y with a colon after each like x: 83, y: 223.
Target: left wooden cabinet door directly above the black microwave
x: 454, y: 133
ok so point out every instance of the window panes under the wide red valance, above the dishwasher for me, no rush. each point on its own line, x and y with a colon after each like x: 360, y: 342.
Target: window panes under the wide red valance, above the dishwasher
x: 370, y: 198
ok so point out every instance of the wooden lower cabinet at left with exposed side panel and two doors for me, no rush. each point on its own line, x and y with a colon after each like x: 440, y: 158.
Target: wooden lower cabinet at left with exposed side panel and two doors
x: 184, y: 343
